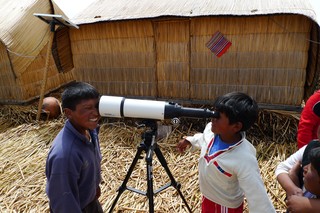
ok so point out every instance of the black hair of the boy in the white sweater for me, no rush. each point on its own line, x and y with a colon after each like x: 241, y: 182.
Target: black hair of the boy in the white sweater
x: 238, y: 107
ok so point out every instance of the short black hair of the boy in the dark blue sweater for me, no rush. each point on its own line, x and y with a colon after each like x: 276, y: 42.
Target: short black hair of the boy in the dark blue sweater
x: 77, y: 92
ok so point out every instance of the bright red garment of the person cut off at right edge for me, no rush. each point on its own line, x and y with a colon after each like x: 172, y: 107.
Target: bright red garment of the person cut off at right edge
x: 309, y: 121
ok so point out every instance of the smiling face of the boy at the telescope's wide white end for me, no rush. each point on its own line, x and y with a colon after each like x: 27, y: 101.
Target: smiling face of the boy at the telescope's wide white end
x: 85, y: 116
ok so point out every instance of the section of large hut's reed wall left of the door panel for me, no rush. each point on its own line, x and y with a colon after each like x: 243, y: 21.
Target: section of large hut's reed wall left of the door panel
x: 117, y: 57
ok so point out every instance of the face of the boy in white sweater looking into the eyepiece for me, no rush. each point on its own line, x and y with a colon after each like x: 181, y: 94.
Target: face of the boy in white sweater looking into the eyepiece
x: 222, y: 127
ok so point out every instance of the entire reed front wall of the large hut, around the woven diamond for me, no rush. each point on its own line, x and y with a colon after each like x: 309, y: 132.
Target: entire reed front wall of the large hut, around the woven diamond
x: 168, y: 59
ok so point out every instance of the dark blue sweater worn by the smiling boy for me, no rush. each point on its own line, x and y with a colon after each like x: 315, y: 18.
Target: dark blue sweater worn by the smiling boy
x: 73, y: 170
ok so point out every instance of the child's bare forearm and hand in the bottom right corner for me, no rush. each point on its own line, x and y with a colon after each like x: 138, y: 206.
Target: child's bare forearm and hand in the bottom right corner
x: 301, y: 204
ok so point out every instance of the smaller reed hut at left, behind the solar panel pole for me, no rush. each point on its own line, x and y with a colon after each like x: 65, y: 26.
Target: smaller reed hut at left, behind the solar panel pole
x: 22, y: 52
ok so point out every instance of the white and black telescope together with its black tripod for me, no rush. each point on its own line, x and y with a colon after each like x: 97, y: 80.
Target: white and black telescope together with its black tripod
x: 150, y: 110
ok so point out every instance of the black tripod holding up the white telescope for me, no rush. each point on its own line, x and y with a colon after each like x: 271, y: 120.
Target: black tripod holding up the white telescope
x: 149, y: 145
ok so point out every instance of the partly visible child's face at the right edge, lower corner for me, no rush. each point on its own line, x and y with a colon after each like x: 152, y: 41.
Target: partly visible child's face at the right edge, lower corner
x: 311, y: 179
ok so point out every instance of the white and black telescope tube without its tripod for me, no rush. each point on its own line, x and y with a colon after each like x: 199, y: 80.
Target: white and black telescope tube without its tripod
x: 118, y: 107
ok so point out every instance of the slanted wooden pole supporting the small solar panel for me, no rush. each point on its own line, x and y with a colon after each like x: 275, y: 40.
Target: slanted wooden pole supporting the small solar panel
x: 45, y: 74
